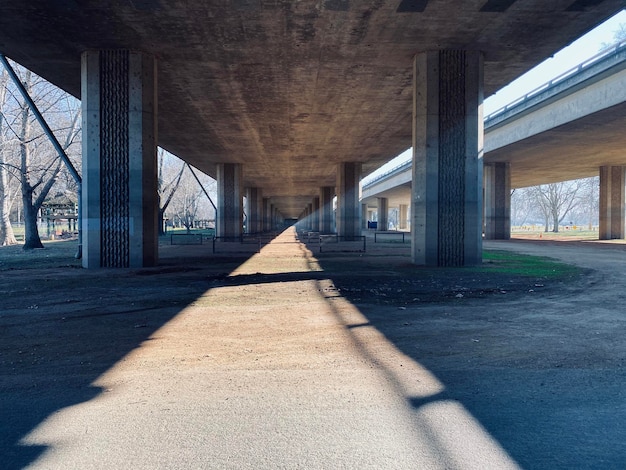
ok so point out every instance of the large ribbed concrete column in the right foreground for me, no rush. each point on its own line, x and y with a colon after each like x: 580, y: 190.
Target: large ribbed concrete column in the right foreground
x: 446, y: 203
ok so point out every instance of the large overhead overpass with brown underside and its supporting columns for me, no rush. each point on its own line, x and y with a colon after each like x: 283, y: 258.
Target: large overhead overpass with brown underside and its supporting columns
x: 286, y: 102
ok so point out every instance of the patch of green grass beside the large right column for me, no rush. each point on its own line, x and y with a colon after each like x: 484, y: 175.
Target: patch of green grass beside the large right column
x: 526, y: 265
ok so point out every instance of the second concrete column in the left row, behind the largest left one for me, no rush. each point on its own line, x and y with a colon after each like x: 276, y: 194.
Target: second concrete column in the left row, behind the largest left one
x: 229, y: 200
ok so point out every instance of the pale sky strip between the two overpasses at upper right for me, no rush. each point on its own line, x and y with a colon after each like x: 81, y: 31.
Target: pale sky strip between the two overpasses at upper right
x: 567, y: 58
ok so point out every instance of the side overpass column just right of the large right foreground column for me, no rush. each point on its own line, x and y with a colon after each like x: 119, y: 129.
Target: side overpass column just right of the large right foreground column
x: 497, y: 178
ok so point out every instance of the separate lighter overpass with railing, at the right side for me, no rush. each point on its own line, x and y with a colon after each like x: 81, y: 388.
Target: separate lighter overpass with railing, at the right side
x: 571, y: 127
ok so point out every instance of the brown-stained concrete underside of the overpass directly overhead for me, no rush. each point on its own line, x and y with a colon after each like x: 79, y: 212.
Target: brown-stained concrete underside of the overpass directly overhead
x: 289, y: 88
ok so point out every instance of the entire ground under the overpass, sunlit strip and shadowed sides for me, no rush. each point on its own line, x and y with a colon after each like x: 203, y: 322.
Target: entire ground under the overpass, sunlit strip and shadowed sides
x: 287, y: 360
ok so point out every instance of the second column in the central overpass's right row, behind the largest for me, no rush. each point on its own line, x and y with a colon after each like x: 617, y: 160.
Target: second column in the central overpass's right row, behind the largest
x: 348, y: 207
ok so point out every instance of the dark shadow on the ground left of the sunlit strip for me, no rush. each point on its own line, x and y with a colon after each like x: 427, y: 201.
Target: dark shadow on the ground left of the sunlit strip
x: 62, y: 328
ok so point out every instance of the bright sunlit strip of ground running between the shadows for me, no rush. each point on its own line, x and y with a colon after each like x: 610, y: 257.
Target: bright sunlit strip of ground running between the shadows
x: 267, y: 375
